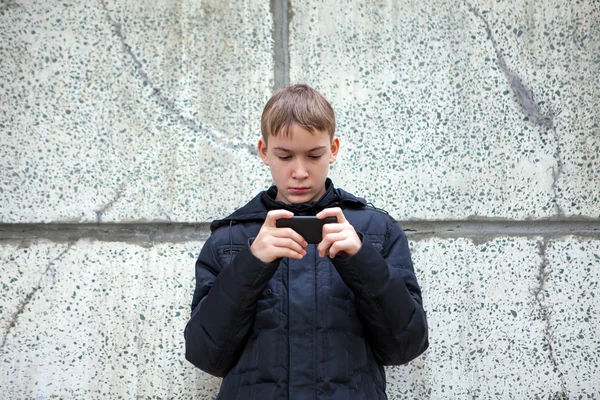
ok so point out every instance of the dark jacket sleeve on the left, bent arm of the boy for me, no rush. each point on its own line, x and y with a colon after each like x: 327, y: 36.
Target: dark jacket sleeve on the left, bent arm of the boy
x: 224, y: 308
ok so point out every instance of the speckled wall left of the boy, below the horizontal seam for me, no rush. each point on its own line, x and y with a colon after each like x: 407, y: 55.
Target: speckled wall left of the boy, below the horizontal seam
x: 105, y: 321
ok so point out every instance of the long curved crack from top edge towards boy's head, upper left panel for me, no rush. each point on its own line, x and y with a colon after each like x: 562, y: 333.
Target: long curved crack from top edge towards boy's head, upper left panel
x: 164, y: 101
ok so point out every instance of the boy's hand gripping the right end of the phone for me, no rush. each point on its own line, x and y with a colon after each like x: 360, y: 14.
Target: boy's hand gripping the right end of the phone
x: 338, y: 238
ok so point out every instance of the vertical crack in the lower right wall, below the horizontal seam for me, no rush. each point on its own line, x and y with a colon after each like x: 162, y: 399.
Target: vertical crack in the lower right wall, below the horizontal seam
x: 538, y: 293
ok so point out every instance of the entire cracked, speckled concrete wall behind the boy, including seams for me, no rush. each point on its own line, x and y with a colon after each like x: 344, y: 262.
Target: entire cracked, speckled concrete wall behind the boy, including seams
x: 126, y: 126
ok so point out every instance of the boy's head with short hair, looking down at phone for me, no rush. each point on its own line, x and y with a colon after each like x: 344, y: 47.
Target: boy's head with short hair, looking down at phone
x: 298, y: 142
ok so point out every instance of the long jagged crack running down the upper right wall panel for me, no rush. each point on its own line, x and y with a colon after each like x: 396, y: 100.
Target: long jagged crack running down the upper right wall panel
x: 528, y: 106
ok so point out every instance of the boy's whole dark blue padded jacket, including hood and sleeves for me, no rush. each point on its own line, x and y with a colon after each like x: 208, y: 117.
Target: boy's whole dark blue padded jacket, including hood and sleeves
x: 314, y: 328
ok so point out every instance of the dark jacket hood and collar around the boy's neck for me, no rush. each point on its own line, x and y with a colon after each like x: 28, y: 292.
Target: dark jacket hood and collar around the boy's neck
x: 261, y: 204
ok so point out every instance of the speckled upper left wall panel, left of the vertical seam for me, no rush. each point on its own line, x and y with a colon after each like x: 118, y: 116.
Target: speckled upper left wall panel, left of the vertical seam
x: 131, y: 111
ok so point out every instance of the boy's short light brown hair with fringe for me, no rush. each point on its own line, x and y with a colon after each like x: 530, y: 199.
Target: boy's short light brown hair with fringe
x: 297, y: 104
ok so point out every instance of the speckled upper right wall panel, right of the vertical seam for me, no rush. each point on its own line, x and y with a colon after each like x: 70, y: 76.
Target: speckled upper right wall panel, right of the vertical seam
x: 461, y: 109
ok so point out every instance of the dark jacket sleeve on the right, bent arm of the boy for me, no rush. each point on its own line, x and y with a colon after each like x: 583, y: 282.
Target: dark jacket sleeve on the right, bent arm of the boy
x: 388, y: 297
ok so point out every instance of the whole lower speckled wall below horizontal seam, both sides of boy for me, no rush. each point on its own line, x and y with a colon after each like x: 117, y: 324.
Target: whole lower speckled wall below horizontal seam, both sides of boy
x: 106, y: 319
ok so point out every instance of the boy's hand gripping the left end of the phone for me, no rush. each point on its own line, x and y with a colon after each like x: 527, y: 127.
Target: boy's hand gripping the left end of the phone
x: 272, y: 243
